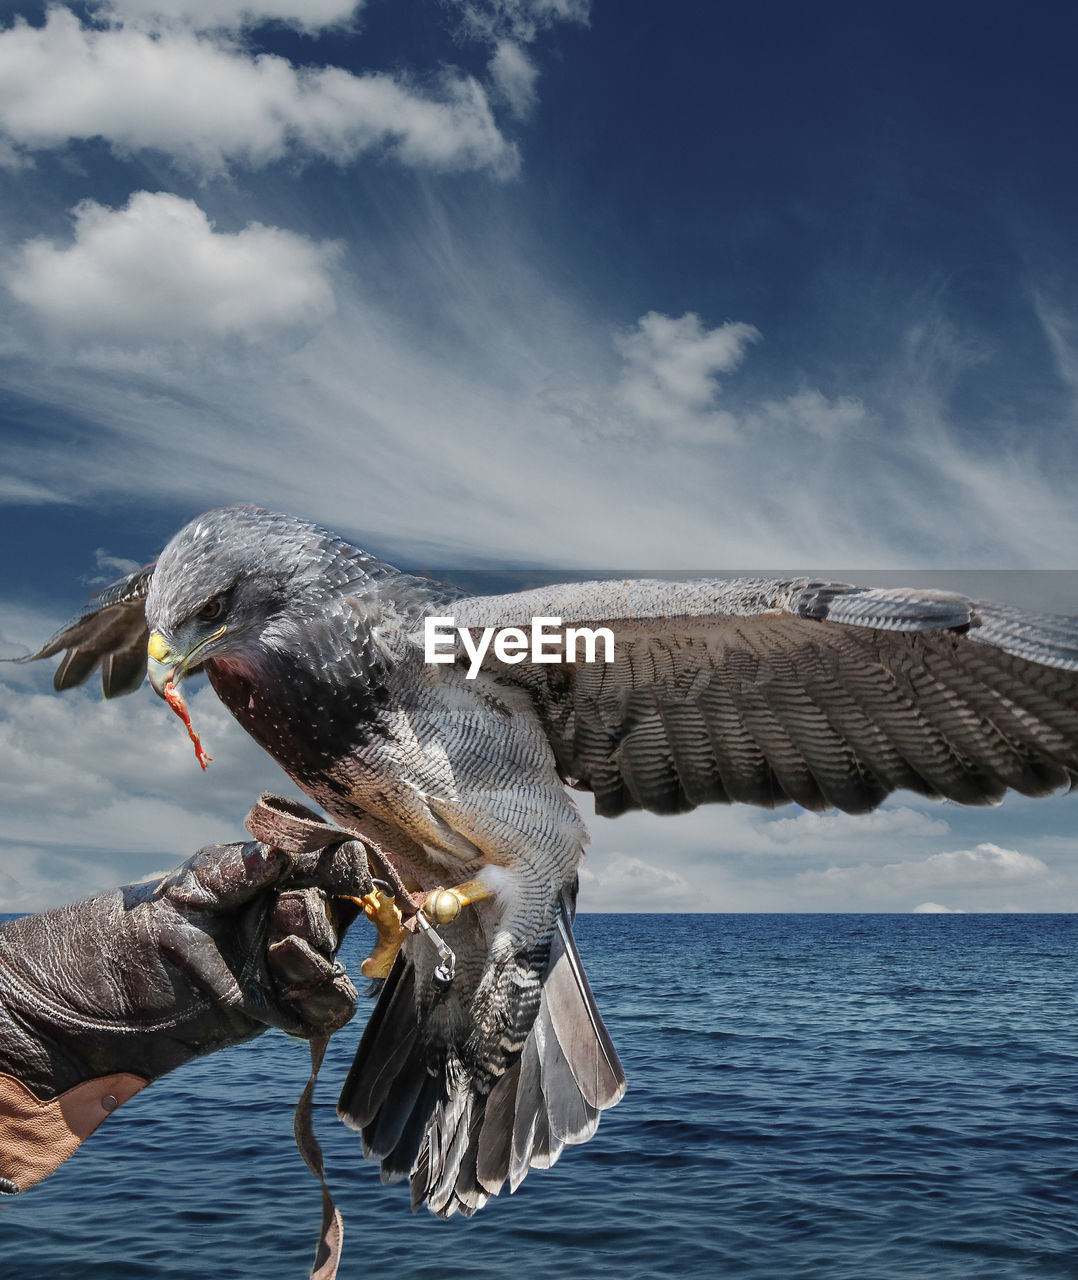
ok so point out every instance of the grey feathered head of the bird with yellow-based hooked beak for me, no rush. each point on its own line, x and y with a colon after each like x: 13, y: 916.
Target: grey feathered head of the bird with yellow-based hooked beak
x: 220, y: 584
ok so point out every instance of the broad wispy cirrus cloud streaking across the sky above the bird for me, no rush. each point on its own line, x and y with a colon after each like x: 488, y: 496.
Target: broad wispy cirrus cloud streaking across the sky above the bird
x: 510, y: 433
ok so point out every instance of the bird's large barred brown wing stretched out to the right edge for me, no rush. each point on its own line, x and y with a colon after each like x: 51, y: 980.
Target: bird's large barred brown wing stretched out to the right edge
x: 770, y: 692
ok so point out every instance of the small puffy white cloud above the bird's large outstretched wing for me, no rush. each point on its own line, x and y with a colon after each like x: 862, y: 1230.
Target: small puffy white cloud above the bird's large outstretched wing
x: 672, y: 377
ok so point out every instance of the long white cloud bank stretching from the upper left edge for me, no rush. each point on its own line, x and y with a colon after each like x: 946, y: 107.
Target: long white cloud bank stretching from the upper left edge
x: 211, y: 104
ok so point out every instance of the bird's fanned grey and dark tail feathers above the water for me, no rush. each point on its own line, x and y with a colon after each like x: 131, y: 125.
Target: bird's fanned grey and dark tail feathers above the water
x: 460, y: 1135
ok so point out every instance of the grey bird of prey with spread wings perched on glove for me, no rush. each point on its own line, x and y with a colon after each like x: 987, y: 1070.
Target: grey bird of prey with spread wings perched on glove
x: 764, y: 692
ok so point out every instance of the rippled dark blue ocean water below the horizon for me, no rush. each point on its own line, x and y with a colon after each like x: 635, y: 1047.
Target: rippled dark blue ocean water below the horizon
x: 838, y: 1098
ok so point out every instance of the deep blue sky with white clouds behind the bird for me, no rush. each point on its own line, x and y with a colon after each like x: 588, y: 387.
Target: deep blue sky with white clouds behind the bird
x: 495, y: 284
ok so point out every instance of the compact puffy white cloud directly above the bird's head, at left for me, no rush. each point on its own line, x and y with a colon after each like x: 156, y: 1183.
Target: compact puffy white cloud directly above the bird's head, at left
x: 158, y: 272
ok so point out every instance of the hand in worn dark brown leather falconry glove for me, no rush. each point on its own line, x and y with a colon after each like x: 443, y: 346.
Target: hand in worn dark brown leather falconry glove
x: 102, y: 998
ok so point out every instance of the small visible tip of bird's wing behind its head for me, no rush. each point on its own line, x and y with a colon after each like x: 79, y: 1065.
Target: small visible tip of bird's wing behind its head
x: 109, y: 633
